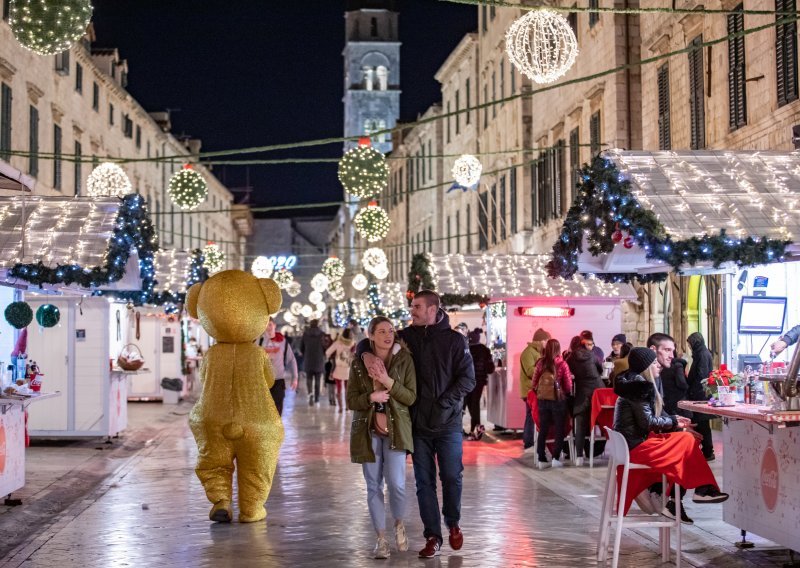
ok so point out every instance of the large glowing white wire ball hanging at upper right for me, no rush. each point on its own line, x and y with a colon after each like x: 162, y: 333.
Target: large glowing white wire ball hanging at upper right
x: 541, y: 45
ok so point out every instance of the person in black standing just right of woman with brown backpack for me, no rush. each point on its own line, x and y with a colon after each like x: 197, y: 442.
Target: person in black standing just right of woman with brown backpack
x: 587, y: 370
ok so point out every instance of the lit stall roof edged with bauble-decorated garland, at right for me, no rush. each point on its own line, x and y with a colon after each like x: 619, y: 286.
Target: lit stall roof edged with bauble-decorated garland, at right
x: 640, y: 213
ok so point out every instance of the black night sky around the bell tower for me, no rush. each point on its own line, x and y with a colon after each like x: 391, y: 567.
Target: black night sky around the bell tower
x: 251, y: 73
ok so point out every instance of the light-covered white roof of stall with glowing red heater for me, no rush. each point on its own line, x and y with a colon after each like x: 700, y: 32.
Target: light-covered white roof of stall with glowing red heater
x: 508, y: 276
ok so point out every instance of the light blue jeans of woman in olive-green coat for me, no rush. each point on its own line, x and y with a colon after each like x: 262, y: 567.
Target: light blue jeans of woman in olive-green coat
x: 391, y: 465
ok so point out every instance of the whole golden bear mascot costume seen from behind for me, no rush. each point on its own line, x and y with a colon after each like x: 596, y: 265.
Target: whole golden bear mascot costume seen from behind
x: 235, y: 418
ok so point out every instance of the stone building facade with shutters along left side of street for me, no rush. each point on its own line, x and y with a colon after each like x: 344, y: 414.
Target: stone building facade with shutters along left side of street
x: 64, y: 114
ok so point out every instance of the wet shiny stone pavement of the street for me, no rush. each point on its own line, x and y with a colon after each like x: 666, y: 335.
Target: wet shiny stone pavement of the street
x: 151, y: 511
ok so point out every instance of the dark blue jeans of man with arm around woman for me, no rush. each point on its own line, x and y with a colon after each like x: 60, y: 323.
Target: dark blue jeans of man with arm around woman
x: 446, y: 450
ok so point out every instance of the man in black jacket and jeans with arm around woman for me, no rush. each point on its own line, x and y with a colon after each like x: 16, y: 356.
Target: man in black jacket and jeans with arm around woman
x: 445, y: 375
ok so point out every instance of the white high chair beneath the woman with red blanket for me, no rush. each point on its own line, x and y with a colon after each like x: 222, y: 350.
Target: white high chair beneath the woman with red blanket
x: 619, y: 455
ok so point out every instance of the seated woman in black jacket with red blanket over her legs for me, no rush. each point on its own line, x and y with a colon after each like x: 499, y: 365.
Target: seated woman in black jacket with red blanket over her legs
x: 665, y: 443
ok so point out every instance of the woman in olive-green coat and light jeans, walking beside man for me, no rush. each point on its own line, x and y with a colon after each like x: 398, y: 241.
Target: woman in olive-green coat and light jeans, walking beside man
x: 380, y: 436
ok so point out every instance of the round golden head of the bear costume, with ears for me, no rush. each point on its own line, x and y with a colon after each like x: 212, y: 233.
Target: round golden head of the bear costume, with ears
x: 234, y: 306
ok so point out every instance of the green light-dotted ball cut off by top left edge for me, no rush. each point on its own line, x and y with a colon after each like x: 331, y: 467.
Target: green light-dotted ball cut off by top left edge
x: 48, y: 27
